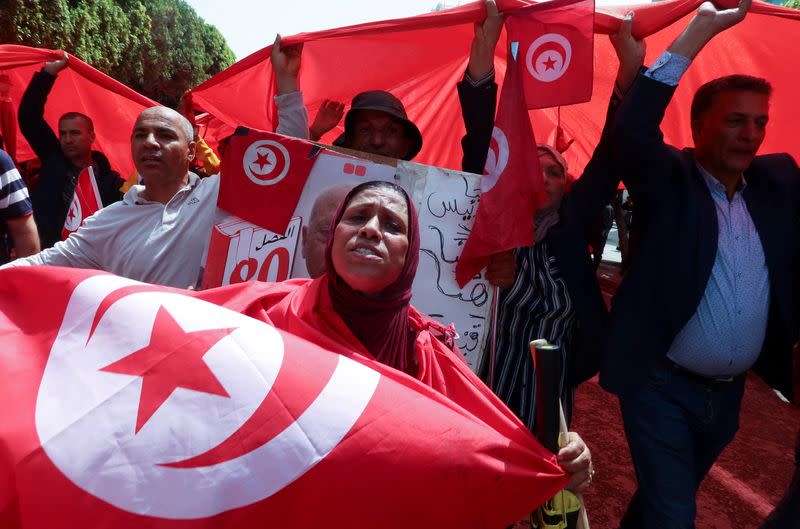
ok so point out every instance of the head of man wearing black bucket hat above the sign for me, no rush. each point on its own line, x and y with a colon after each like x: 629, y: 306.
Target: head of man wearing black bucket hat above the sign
x: 377, y: 123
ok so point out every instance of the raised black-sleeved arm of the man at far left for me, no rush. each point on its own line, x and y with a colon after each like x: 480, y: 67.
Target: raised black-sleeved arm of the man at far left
x: 40, y: 136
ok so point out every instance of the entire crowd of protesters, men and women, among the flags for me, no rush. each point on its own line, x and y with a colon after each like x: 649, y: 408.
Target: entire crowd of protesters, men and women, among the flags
x: 712, y: 258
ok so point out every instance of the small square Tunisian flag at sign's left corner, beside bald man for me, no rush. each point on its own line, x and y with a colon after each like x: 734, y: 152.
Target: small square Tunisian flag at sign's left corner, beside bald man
x: 263, y: 175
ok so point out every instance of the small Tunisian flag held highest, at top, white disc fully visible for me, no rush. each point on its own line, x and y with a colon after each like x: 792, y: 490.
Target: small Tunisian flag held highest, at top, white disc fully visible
x: 556, y: 46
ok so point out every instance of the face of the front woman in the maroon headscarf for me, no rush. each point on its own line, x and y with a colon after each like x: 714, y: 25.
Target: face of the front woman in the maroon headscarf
x: 371, y: 240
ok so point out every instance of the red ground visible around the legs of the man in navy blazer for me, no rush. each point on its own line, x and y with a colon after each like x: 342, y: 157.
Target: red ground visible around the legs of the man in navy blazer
x: 742, y: 488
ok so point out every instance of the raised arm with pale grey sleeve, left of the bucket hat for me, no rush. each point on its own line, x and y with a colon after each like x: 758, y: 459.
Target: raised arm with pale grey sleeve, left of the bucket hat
x: 292, y: 113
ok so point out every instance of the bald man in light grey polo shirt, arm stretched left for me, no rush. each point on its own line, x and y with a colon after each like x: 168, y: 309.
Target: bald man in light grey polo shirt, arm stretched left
x: 159, y: 231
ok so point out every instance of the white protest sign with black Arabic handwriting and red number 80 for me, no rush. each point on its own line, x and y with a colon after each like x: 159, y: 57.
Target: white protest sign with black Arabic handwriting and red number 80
x: 446, y: 202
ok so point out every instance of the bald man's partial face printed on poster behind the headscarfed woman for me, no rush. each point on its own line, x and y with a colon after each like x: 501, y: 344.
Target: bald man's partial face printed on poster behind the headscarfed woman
x: 315, y: 232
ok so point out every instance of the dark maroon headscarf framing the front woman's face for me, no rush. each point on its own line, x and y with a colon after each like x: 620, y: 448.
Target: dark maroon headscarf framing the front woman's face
x: 381, y: 322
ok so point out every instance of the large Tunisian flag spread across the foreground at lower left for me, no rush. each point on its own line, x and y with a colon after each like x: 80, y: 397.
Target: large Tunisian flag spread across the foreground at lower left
x: 141, y: 406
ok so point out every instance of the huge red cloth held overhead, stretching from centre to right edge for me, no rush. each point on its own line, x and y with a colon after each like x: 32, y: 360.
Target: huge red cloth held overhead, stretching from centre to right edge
x: 242, y: 94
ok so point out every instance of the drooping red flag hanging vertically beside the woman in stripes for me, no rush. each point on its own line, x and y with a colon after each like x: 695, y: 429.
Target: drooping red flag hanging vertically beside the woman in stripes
x: 512, y: 186
